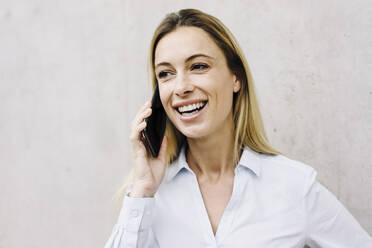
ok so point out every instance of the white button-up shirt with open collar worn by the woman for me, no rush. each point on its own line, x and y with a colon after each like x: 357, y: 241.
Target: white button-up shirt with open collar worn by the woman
x: 276, y: 203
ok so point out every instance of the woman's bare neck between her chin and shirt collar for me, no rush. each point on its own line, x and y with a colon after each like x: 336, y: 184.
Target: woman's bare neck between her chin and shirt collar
x: 211, y: 158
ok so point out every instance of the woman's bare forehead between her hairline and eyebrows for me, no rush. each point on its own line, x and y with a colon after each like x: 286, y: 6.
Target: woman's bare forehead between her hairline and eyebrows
x: 184, y: 42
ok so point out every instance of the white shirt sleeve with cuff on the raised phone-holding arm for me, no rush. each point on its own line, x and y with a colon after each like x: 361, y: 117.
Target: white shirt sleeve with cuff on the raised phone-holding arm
x: 133, y: 228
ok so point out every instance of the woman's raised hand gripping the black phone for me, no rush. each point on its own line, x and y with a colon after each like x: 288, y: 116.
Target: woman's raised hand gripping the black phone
x: 148, y: 171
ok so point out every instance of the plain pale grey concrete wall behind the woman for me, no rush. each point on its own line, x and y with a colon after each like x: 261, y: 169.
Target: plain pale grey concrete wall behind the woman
x: 74, y: 73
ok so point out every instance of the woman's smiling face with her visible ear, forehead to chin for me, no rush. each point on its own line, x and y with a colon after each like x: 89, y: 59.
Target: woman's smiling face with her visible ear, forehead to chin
x: 195, y: 84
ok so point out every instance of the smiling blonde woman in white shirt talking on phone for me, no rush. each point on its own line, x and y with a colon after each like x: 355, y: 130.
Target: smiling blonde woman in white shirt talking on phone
x: 217, y: 182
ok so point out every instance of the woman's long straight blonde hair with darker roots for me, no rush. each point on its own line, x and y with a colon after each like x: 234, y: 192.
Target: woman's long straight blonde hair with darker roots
x: 248, y: 127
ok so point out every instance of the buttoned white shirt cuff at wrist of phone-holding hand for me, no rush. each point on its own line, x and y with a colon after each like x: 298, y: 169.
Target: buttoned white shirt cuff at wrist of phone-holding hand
x: 136, y: 213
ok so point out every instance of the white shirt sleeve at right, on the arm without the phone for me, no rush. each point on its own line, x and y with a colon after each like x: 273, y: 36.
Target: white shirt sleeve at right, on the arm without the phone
x: 329, y: 223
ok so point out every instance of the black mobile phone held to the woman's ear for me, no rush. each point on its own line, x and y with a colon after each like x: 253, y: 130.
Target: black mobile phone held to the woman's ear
x: 153, y: 133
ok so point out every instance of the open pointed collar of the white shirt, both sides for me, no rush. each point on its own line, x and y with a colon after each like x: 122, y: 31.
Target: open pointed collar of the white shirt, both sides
x: 249, y: 159
